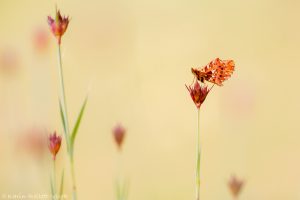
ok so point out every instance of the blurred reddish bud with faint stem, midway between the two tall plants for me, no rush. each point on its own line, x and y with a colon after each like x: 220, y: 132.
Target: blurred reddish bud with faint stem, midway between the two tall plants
x: 122, y: 186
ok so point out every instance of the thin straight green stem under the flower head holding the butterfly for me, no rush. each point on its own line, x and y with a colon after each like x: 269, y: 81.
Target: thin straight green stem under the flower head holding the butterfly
x: 198, y: 159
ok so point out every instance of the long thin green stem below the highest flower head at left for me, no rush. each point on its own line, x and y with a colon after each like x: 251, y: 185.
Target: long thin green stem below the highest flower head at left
x: 66, y: 123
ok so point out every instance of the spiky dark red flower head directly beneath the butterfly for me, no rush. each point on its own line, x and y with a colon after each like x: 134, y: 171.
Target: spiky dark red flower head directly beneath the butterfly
x: 198, y: 93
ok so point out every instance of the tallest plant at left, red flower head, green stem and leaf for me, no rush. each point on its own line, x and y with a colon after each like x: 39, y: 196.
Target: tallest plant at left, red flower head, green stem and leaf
x: 58, y: 26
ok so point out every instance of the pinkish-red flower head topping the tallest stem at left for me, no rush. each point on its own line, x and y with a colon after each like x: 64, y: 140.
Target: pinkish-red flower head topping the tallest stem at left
x: 58, y: 25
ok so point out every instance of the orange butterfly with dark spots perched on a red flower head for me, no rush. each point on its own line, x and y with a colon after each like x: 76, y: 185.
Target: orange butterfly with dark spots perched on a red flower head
x: 216, y: 72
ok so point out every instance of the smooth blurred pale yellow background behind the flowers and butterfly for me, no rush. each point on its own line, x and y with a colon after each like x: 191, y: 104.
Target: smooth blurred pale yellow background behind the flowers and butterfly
x: 135, y: 57
